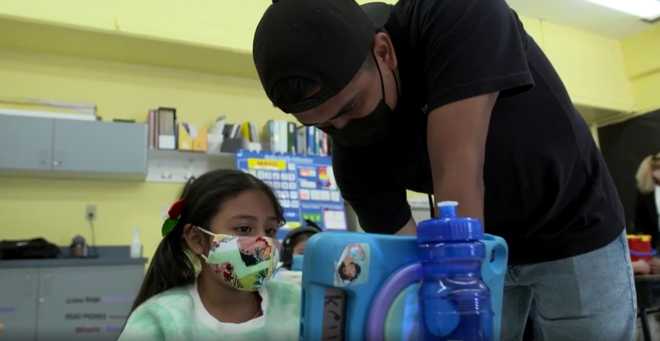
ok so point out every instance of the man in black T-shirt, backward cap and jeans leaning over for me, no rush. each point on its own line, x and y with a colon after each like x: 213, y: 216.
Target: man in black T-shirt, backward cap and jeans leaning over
x: 453, y: 98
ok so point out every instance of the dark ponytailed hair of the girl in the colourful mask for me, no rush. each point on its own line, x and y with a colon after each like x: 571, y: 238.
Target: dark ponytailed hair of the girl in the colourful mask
x: 203, y: 198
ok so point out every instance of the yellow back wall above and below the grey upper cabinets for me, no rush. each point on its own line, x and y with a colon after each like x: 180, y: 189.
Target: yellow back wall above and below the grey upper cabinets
x: 54, y: 208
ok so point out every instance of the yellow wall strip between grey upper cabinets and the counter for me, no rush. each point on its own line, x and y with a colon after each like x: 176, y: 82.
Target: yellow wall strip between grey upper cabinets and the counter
x: 54, y: 209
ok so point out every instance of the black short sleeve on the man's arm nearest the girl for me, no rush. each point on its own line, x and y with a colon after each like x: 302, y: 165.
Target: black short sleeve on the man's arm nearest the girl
x: 380, y: 204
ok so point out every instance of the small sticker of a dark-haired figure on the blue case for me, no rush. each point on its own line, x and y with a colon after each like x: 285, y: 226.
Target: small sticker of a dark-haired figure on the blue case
x: 352, y: 268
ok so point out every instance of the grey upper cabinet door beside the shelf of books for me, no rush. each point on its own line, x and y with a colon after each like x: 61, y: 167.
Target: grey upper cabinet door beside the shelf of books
x: 100, y: 148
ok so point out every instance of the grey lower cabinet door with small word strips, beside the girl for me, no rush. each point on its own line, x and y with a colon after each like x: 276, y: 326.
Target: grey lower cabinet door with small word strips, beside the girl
x: 86, y: 302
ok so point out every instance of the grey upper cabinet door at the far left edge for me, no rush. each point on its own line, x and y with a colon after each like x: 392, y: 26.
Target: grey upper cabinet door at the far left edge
x: 25, y: 143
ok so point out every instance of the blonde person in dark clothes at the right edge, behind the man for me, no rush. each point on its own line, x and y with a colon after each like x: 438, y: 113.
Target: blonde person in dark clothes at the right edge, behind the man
x: 646, y: 209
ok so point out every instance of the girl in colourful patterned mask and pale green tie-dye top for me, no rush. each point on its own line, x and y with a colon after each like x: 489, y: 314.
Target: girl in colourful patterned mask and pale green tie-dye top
x: 209, y: 278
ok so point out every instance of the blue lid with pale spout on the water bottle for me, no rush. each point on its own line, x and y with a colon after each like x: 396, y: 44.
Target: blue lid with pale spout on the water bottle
x: 448, y: 227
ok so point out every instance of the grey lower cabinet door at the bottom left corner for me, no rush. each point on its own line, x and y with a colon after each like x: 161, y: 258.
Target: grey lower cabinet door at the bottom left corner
x: 18, y: 304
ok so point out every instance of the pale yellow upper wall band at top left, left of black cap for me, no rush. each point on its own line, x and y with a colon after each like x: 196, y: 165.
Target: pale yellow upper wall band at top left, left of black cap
x: 228, y: 24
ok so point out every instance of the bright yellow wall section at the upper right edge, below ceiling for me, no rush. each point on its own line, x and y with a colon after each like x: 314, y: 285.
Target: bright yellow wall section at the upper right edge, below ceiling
x: 642, y: 56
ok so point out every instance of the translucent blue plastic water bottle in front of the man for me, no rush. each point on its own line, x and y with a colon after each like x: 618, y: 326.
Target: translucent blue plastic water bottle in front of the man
x: 454, y: 301
